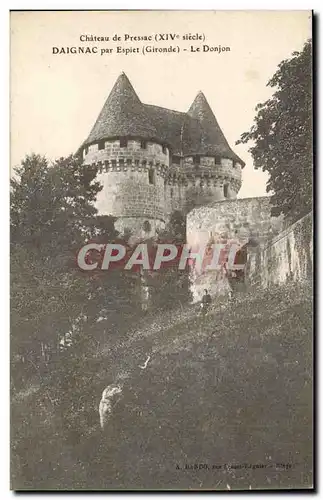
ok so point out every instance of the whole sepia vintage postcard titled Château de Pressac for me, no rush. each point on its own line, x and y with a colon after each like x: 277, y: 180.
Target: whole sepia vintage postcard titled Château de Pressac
x: 161, y: 250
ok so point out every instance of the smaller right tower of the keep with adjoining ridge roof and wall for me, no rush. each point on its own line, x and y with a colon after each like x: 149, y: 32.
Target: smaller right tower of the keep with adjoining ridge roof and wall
x: 203, y: 167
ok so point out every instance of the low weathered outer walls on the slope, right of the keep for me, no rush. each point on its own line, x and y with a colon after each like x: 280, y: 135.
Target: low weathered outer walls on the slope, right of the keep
x: 281, y: 253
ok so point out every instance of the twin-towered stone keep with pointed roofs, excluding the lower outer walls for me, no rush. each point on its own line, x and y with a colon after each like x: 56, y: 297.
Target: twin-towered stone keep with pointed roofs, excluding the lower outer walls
x: 154, y: 160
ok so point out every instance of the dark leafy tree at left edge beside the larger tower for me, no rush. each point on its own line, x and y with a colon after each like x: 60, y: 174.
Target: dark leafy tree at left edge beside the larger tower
x: 50, y: 204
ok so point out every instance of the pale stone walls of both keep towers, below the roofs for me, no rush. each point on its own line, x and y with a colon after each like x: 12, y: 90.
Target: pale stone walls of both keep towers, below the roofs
x: 138, y: 182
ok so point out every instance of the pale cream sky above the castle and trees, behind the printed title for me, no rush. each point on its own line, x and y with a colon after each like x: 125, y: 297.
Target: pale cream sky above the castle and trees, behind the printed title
x: 56, y: 98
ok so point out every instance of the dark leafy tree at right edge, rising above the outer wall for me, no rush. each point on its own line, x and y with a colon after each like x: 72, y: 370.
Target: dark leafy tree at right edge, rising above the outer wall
x: 282, y: 136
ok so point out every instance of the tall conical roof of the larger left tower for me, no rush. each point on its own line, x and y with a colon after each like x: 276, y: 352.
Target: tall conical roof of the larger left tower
x: 123, y: 114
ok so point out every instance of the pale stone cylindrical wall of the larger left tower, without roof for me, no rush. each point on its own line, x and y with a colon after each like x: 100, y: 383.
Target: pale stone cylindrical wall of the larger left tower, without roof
x: 133, y: 180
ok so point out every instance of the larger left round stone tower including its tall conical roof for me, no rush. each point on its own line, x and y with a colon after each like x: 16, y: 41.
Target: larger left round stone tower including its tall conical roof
x: 132, y: 163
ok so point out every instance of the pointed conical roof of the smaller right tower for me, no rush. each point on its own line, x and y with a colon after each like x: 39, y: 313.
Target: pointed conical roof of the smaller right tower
x: 212, y: 140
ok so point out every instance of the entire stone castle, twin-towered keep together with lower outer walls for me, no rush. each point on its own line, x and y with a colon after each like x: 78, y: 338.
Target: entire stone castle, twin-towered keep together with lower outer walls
x: 153, y: 161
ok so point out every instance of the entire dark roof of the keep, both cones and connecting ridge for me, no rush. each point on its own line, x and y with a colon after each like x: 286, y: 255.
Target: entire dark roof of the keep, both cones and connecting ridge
x: 194, y: 132
